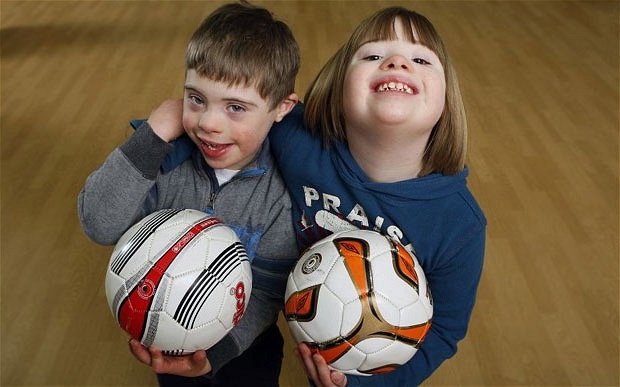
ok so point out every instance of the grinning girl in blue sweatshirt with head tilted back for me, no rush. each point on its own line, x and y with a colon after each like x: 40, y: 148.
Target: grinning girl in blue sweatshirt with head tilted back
x: 387, y: 142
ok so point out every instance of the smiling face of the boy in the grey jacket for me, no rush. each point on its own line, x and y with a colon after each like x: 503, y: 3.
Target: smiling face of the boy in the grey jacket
x: 227, y: 123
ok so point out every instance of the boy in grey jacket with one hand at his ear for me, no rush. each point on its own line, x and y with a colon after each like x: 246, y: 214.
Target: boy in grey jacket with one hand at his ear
x: 241, y: 66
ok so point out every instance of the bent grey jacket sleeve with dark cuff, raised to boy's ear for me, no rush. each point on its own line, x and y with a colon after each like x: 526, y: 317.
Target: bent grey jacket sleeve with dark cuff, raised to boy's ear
x: 116, y: 194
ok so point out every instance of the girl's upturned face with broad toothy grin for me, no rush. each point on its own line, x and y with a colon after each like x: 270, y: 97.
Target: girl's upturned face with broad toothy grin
x: 394, y: 84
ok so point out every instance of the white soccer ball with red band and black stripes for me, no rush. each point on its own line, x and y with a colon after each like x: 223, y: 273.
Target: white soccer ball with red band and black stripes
x: 179, y: 280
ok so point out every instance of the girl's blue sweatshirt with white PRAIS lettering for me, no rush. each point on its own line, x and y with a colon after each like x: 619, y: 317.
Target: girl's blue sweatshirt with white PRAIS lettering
x: 436, y: 216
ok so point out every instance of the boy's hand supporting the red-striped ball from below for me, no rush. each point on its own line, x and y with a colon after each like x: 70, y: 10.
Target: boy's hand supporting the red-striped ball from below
x: 192, y: 365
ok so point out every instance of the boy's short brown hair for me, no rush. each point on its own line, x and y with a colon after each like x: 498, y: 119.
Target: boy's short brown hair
x: 243, y: 44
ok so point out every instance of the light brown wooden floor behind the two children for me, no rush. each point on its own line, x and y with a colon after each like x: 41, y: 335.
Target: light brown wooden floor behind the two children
x: 541, y: 84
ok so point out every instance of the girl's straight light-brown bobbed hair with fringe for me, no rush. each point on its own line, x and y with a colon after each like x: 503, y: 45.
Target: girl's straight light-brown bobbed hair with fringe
x: 324, y: 113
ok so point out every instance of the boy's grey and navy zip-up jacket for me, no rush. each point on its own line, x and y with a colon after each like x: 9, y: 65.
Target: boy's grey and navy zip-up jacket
x: 131, y: 184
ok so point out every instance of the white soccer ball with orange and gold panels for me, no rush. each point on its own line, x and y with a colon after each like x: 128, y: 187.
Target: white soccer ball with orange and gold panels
x: 361, y: 300
